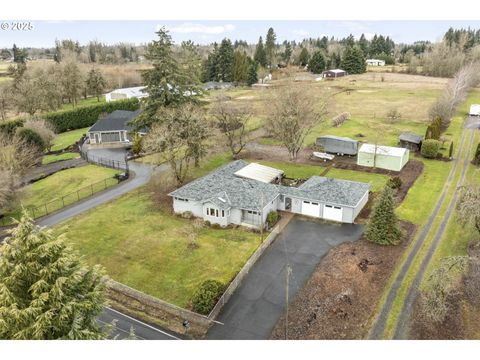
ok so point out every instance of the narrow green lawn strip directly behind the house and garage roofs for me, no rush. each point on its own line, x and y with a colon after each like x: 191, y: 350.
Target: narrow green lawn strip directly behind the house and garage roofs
x: 377, y: 181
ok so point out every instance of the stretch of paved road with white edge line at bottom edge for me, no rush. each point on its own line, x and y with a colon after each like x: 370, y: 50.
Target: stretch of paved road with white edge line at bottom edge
x: 142, y: 331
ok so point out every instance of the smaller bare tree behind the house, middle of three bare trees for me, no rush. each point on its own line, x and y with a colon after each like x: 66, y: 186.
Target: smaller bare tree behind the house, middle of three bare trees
x: 232, y: 121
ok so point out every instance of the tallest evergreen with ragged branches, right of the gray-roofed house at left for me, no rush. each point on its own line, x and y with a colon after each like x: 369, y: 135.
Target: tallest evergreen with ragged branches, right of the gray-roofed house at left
x: 167, y: 84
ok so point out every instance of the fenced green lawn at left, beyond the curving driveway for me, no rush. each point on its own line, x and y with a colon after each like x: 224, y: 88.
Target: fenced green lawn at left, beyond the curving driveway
x: 65, y: 184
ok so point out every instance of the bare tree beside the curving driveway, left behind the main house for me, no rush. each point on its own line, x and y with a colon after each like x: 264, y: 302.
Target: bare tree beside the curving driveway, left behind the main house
x: 180, y: 137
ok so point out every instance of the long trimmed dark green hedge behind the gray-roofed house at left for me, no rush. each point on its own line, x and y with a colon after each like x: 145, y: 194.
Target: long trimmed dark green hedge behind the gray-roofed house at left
x: 84, y: 116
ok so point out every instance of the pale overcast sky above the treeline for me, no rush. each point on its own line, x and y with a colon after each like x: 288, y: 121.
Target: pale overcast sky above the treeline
x: 110, y: 32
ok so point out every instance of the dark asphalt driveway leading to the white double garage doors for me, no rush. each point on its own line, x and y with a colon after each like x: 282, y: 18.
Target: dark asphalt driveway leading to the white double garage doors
x: 258, y: 303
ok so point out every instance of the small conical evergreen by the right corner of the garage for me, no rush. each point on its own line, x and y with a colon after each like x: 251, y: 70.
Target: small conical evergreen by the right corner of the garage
x: 382, y: 227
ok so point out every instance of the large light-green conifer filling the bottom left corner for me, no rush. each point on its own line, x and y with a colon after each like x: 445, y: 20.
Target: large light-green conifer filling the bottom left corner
x: 45, y: 291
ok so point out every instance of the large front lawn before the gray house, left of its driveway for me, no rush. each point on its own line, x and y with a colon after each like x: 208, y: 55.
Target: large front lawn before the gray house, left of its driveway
x: 149, y: 250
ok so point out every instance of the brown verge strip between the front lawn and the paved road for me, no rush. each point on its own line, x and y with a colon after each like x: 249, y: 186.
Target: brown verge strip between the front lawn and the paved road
x: 153, y: 310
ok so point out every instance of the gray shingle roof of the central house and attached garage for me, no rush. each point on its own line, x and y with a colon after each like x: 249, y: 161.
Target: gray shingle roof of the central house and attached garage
x: 249, y: 194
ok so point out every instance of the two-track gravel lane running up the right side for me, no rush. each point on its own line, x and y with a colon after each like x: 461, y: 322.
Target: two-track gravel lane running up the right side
x: 377, y: 331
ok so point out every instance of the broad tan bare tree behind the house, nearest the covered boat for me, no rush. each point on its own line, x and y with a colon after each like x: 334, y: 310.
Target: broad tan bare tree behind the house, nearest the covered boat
x: 294, y: 113
